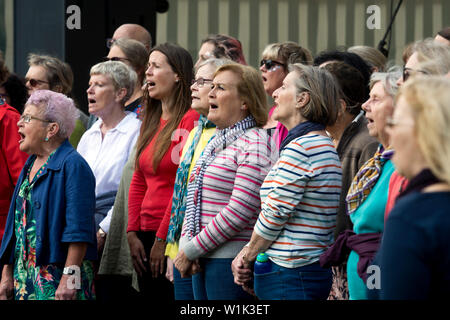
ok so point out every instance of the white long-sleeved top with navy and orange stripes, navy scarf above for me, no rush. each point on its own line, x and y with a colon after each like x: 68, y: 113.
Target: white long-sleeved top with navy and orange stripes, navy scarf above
x: 300, y: 200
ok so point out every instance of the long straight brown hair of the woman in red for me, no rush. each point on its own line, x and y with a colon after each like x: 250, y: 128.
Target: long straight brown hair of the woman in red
x: 181, y: 63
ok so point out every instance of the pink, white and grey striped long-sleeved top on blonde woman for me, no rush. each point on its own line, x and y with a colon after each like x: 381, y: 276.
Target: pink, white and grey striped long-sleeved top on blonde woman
x: 230, y: 197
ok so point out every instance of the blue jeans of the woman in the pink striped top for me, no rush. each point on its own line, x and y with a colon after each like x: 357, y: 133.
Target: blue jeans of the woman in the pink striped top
x: 216, y: 281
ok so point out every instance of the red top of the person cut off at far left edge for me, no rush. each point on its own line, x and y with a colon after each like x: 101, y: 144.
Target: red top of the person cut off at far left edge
x: 11, y: 159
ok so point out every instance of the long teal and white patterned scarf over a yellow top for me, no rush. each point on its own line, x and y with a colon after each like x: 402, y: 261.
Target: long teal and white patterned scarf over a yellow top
x: 180, y: 189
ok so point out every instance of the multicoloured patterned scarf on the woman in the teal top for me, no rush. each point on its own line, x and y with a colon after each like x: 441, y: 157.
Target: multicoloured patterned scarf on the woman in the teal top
x: 366, y: 178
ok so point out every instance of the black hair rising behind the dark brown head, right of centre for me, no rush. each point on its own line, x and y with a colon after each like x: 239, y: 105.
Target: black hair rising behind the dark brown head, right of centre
x: 350, y: 58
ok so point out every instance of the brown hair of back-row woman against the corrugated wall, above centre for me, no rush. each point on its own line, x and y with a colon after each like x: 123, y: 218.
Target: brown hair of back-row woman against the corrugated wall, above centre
x: 226, y: 47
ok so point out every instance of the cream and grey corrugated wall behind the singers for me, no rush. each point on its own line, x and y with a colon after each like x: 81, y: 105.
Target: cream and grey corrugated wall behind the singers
x: 315, y: 24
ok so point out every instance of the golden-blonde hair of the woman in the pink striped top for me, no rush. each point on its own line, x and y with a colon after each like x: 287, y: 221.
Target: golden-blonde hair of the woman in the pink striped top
x: 250, y: 89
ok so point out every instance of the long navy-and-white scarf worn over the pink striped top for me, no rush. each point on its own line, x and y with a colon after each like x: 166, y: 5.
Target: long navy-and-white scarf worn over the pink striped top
x: 222, y: 139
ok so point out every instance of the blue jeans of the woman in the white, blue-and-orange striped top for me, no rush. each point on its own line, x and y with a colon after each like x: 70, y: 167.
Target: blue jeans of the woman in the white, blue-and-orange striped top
x: 311, y: 282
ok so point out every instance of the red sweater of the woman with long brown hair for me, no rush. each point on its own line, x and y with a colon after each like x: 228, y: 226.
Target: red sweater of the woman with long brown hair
x: 150, y: 191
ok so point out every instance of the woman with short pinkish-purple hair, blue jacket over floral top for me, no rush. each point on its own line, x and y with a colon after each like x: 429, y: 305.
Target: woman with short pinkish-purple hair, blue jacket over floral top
x: 49, y: 242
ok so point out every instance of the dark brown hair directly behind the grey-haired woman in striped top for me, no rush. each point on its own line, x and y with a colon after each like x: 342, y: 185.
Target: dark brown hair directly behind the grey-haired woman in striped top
x: 351, y: 83
